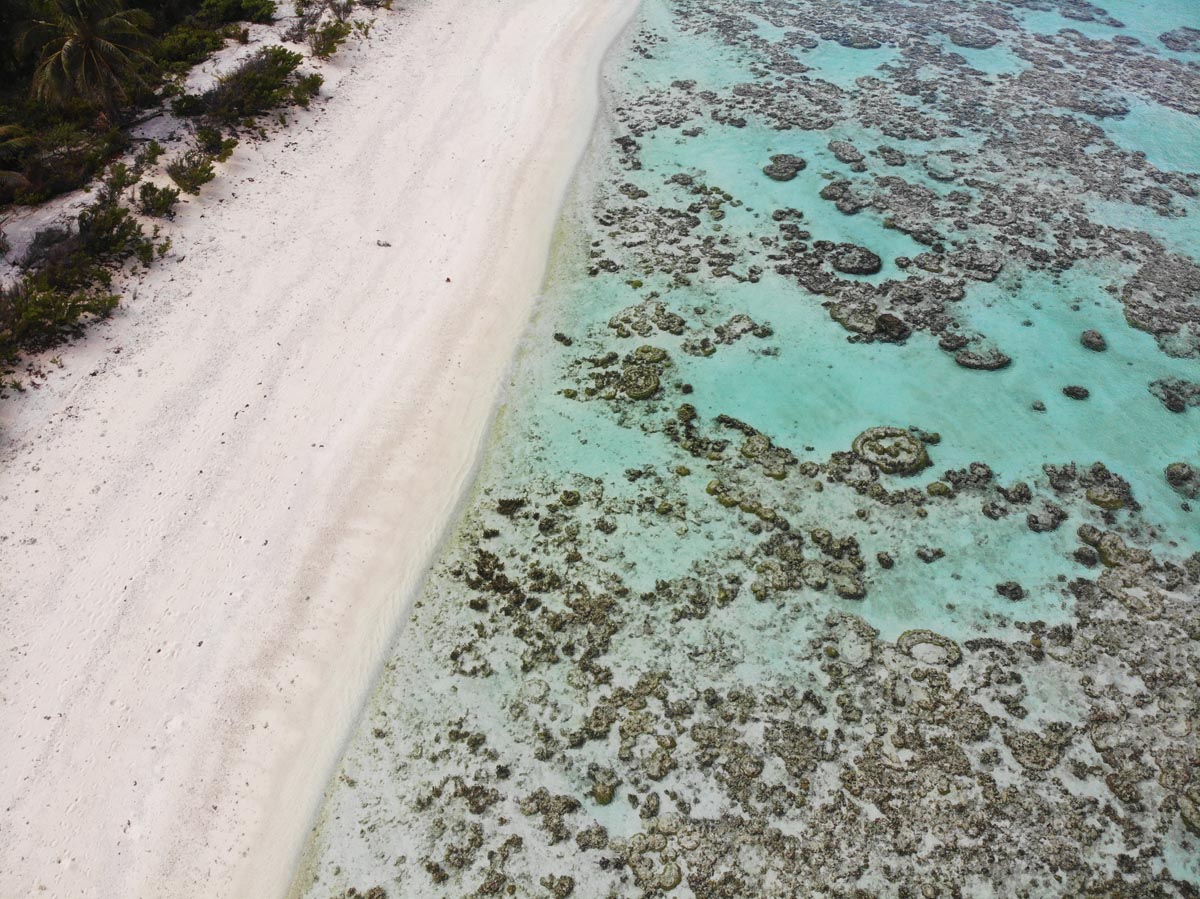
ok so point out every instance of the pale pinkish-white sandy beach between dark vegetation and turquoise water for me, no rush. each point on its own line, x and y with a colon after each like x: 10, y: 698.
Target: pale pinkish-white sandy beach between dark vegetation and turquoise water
x: 207, y: 544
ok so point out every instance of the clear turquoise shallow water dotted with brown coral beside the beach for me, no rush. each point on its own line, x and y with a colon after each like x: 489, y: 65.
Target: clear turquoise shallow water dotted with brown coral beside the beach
x: 686, y: 642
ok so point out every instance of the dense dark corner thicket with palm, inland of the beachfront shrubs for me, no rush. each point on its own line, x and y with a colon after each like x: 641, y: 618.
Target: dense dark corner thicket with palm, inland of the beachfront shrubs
x: 115, y: 56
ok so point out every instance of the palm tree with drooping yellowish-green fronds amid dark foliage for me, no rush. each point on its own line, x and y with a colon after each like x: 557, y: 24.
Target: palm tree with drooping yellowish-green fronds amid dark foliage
x: 91, y: 51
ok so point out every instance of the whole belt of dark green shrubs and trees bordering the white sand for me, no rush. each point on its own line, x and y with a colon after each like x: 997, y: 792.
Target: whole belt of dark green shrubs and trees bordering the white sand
x: 74, y: 77
